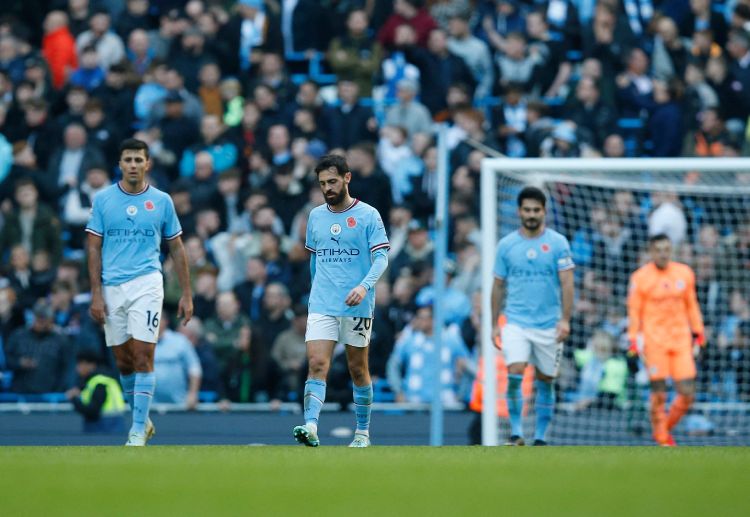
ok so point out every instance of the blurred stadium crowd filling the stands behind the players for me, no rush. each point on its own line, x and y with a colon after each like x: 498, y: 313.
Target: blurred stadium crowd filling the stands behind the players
x: 237, y: 100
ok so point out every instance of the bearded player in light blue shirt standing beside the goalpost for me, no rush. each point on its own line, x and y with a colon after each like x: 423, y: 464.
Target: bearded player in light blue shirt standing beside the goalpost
x: 534, y: 266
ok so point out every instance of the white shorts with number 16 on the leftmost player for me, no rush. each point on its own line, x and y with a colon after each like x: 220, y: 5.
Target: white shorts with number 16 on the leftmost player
x: 134, y: 309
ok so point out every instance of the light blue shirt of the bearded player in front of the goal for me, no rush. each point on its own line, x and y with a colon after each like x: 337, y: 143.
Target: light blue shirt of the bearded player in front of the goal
x: 530, y: 269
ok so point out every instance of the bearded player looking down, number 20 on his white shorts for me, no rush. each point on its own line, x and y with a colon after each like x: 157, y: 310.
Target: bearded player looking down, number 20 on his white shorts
x: 349, y: 246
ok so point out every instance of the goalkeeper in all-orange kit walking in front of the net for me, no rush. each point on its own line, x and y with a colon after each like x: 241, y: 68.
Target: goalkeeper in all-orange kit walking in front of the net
x: 663, y: 307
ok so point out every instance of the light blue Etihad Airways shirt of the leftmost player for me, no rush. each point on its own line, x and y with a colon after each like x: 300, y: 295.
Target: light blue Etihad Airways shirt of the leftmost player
x: 131, y: 227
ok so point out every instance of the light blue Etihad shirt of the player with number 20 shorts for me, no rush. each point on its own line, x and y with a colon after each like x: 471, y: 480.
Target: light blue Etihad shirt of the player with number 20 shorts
x: 343, y: 243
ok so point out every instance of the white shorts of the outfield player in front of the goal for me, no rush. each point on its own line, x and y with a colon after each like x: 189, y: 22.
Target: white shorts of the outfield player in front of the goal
x: 536, y: 346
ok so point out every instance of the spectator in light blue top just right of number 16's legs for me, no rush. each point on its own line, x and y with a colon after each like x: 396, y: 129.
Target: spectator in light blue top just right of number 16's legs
x: 178, y: 368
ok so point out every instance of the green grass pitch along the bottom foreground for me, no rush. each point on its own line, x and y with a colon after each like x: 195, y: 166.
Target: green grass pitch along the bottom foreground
x: 177, y: 481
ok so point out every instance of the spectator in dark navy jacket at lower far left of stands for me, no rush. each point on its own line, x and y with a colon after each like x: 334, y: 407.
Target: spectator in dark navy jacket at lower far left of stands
x: 39, y: 356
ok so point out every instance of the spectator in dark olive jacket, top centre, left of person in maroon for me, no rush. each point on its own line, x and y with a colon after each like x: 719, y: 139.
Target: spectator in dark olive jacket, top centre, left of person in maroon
x: 355, y: 55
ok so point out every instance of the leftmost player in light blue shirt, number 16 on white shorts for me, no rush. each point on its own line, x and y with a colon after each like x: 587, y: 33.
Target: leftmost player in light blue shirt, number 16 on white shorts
x: 128, y: 221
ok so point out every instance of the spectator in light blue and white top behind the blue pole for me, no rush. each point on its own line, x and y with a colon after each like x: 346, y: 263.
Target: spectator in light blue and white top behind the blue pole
x: 411, y: 370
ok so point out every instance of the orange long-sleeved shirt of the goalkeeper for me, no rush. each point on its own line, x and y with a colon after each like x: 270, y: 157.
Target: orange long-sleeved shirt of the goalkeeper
x: 663, y: 306
